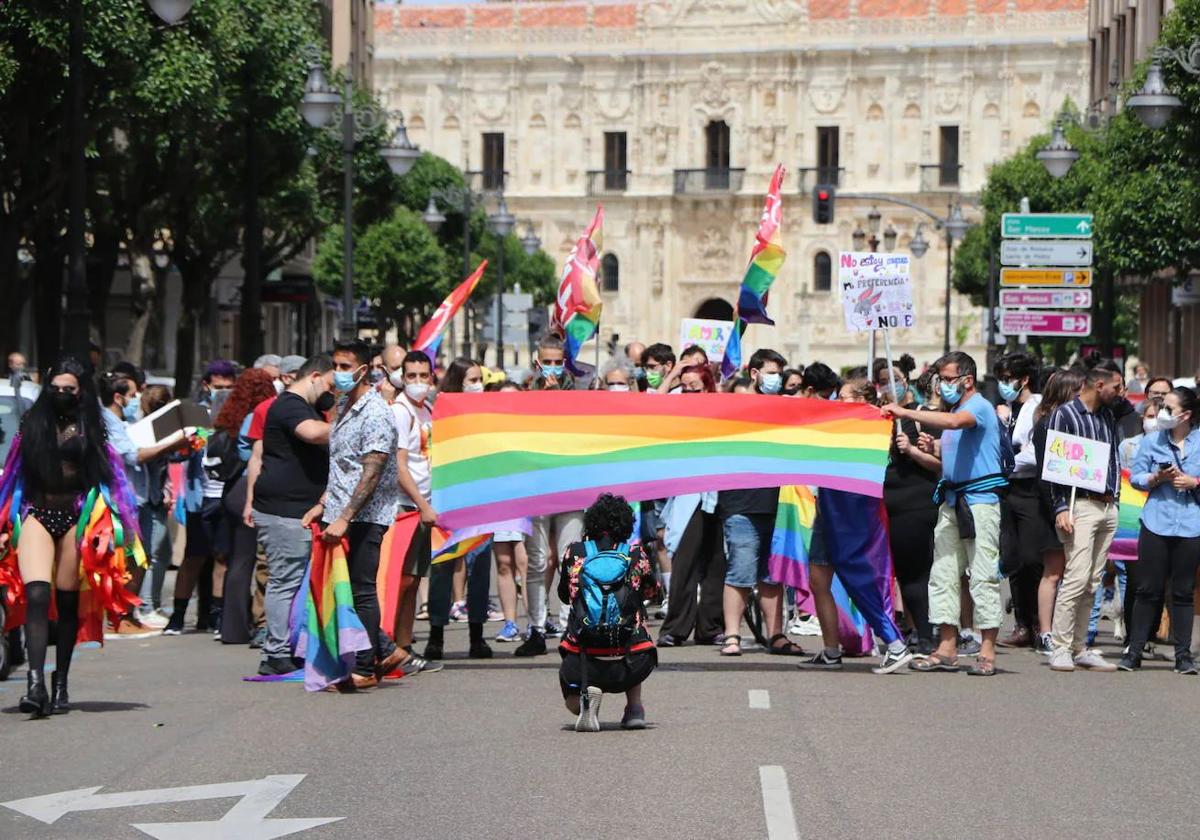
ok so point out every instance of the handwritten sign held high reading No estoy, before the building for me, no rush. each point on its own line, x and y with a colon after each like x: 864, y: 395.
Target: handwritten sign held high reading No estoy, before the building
x: 877, y: 291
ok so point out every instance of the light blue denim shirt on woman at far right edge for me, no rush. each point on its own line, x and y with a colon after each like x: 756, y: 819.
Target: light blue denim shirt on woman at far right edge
x: 1168, y: 512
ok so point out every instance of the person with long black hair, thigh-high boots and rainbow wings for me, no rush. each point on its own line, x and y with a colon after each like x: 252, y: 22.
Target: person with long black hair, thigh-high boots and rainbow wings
x: 63, y: 473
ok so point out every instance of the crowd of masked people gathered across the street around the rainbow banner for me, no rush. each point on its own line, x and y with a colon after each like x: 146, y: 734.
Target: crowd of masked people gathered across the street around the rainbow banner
x: 337, y: 447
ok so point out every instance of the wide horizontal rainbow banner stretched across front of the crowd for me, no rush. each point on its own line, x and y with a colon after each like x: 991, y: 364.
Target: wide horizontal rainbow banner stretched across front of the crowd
x: 529, y: 454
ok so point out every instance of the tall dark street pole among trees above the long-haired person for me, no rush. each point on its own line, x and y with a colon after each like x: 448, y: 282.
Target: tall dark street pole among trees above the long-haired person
x: 77, y: 340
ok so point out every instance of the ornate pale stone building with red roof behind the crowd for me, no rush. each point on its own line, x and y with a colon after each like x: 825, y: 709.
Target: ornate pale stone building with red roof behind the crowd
x: 674, y: 115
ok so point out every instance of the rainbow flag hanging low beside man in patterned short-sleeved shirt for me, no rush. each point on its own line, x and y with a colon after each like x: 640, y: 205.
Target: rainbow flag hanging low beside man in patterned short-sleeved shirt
x: 332, y: 634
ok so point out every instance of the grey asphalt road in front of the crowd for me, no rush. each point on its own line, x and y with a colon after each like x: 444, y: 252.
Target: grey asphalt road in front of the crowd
x: 487, y: 751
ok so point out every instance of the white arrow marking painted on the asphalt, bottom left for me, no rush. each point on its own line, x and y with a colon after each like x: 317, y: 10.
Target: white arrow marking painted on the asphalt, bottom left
x: 247, y: 820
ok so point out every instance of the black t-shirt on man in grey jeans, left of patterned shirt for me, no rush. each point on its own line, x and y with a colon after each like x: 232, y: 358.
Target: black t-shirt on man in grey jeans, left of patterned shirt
x: 295, y: 473
